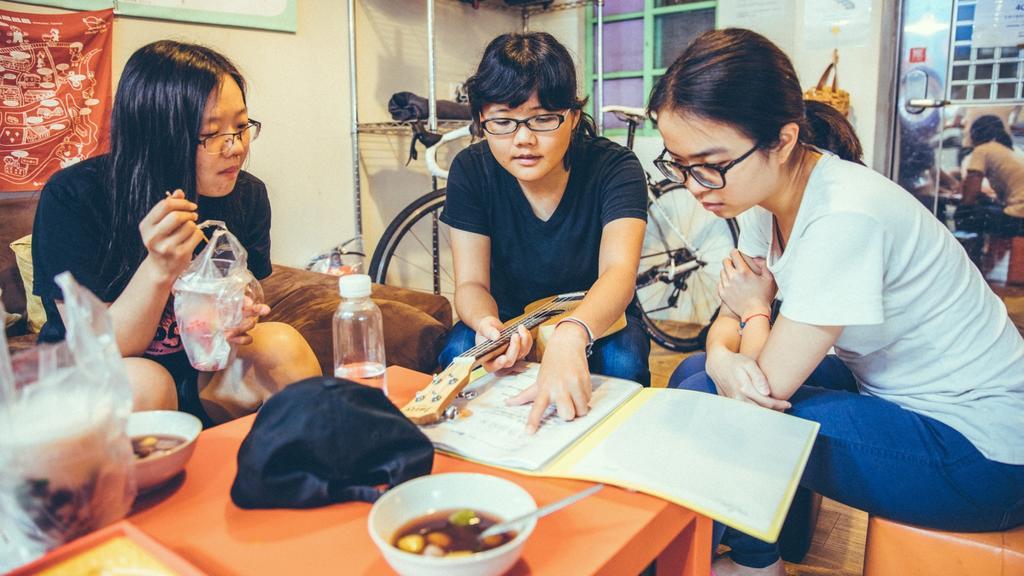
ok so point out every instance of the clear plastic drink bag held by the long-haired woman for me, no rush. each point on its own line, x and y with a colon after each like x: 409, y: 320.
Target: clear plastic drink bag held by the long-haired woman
x: 209, y: 299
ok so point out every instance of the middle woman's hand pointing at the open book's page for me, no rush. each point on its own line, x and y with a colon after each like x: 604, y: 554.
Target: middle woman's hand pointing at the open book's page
x: 564, y: 380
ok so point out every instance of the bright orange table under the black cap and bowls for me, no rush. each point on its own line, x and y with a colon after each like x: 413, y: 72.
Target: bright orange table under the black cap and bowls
x: 613, y: 532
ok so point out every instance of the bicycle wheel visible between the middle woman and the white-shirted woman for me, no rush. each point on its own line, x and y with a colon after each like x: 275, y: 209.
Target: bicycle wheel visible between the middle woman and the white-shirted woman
x: 677, y: 283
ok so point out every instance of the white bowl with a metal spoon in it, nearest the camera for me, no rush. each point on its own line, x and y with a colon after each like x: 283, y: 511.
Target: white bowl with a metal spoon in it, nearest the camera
x: 429, y: 495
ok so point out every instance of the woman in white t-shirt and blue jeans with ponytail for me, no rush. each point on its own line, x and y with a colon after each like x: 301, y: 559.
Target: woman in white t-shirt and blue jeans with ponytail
x: 922, y: 407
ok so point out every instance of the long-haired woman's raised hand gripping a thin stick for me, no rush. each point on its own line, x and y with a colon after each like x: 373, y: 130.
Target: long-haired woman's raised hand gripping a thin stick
x: 170, y: 236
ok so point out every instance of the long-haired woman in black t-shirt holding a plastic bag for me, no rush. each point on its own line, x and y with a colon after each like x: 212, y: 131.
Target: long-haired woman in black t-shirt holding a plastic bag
x: 180, y: 124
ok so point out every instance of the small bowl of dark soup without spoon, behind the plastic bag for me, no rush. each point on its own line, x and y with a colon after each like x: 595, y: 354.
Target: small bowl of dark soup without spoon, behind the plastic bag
x: 152, y: 472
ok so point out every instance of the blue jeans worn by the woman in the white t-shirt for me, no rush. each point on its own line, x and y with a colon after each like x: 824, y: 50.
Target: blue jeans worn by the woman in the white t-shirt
x: 884, y: 460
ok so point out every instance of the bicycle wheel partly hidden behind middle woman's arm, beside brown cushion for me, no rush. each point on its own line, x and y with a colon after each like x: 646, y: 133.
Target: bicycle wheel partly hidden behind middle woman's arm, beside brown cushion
x: 415, y: 252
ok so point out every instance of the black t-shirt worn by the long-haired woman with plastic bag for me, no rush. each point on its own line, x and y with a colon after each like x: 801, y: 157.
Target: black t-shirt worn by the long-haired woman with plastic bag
x: 71, y: 234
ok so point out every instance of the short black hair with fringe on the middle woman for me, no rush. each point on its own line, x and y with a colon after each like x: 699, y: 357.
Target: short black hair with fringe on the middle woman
x: 516, y: 66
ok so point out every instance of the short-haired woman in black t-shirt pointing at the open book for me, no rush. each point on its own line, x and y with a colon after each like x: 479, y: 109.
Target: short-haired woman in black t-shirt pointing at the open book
x: 541, y: 208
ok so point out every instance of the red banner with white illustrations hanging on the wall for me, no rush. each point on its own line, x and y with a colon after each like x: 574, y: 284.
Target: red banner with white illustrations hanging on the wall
x: 55, y: 94
